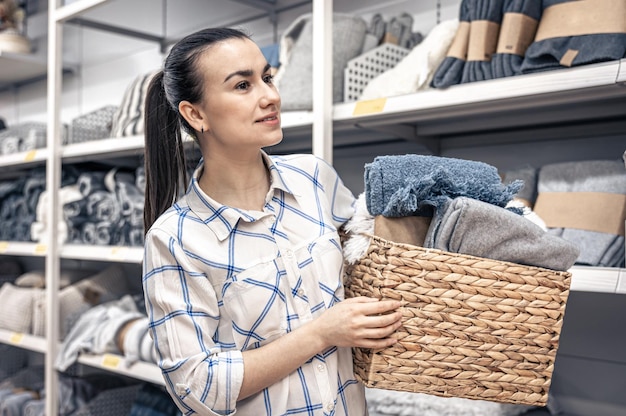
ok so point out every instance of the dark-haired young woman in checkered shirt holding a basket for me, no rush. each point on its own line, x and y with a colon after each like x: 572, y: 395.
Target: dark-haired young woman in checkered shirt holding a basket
x: 243, y: 274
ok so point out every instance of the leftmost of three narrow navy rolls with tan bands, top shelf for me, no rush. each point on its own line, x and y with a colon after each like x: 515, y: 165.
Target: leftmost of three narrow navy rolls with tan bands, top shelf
x: 450, y: 71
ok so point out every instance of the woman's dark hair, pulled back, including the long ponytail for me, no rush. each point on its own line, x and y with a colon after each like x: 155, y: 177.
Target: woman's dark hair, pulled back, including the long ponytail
x: 180, y: 80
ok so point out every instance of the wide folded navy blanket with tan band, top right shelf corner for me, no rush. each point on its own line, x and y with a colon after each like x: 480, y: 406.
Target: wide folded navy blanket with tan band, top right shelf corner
x: 573, y: 33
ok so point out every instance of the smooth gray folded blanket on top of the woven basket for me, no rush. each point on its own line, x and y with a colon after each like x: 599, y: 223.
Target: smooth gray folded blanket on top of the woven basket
x: 468, y: 226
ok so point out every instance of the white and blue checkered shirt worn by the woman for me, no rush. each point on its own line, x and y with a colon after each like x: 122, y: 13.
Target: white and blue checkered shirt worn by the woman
x: 220, y: 280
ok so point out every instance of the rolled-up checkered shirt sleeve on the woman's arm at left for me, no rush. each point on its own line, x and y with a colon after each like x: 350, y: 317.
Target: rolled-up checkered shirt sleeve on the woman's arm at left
x: 201, y: 376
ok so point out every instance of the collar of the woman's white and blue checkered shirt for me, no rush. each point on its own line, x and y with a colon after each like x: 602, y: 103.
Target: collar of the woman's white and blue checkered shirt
x: 222, y: 219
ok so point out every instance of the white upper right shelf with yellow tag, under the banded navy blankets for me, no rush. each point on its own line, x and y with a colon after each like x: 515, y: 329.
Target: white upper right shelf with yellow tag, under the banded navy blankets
x: 558, y: 97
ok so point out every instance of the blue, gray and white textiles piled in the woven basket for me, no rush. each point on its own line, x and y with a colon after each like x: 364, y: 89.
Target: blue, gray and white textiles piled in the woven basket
x: 463, y: 206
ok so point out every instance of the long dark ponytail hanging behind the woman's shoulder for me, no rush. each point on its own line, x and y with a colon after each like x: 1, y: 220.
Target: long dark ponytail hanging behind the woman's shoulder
x: 165, y: 171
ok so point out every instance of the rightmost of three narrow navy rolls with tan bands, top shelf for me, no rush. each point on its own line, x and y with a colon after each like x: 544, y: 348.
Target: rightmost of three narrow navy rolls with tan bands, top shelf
x: 519, y: 26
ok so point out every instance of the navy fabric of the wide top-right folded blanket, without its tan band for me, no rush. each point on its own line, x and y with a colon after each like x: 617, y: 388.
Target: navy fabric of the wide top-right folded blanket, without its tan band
x: 547, y: 54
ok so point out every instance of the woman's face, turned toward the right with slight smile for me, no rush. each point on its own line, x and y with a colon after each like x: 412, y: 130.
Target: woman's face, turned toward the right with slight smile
x: 240, y: 103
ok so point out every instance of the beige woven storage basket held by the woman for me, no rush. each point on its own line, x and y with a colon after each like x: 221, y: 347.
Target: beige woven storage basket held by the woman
x: 472, y: 327
